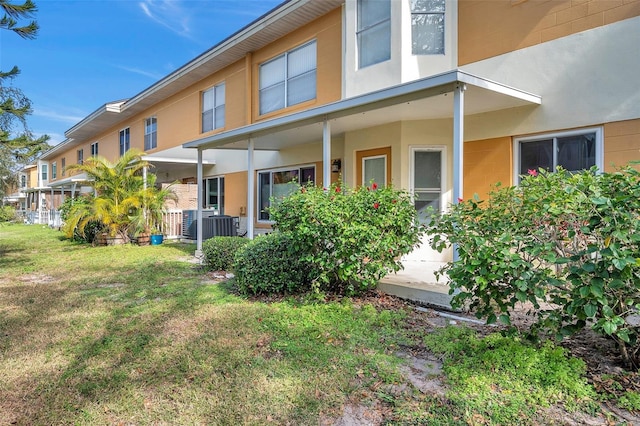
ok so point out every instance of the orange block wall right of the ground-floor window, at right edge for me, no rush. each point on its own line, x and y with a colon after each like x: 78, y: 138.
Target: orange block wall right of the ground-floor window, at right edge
x: 621, y: 143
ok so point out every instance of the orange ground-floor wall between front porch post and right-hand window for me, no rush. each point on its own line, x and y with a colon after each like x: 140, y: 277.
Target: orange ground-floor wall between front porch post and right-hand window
x: 487, y: 162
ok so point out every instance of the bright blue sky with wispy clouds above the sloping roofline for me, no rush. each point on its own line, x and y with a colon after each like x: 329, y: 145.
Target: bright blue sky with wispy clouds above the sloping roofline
x: 91, y: 52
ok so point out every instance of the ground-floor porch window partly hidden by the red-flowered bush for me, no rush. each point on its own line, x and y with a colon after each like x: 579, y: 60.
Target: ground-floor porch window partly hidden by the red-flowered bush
x: 280, y: 183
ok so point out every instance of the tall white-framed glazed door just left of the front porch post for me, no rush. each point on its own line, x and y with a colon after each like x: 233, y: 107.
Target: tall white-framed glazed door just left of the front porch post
x: 426, y: 180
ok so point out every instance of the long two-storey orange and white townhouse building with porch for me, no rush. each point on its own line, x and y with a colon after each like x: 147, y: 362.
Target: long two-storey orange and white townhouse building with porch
x: 443, y: 98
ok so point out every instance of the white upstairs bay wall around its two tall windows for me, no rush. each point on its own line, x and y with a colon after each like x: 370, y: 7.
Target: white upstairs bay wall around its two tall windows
x: 403, y: 65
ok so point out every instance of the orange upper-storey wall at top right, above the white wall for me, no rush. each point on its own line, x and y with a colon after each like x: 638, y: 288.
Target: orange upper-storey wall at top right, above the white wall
x: 489, y: 28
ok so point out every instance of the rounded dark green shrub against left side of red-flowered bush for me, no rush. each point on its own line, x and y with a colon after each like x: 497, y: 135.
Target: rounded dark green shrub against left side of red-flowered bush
x: 270, y: 264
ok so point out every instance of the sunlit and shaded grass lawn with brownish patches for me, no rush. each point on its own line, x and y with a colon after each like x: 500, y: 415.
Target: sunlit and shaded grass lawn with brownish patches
x: 139, y: 335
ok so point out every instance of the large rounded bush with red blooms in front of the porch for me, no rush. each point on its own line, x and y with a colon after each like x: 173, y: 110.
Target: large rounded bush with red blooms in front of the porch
x: 350, y: 237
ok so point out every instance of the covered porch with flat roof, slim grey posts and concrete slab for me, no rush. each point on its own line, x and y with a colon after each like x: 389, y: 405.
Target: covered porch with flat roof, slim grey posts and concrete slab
x: 429, y: 112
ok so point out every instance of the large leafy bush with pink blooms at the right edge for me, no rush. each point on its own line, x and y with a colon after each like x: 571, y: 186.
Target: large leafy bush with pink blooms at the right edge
x: 571, y: 240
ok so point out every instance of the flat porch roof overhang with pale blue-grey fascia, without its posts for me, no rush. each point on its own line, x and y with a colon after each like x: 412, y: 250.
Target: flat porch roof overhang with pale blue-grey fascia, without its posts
x: 428, y: 98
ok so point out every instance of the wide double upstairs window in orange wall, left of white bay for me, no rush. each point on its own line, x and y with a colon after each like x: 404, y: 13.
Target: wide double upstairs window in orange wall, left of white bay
x: 288, y: 79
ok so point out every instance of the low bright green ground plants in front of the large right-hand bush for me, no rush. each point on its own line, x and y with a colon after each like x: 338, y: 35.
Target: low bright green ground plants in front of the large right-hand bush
x: 506, y: 380
